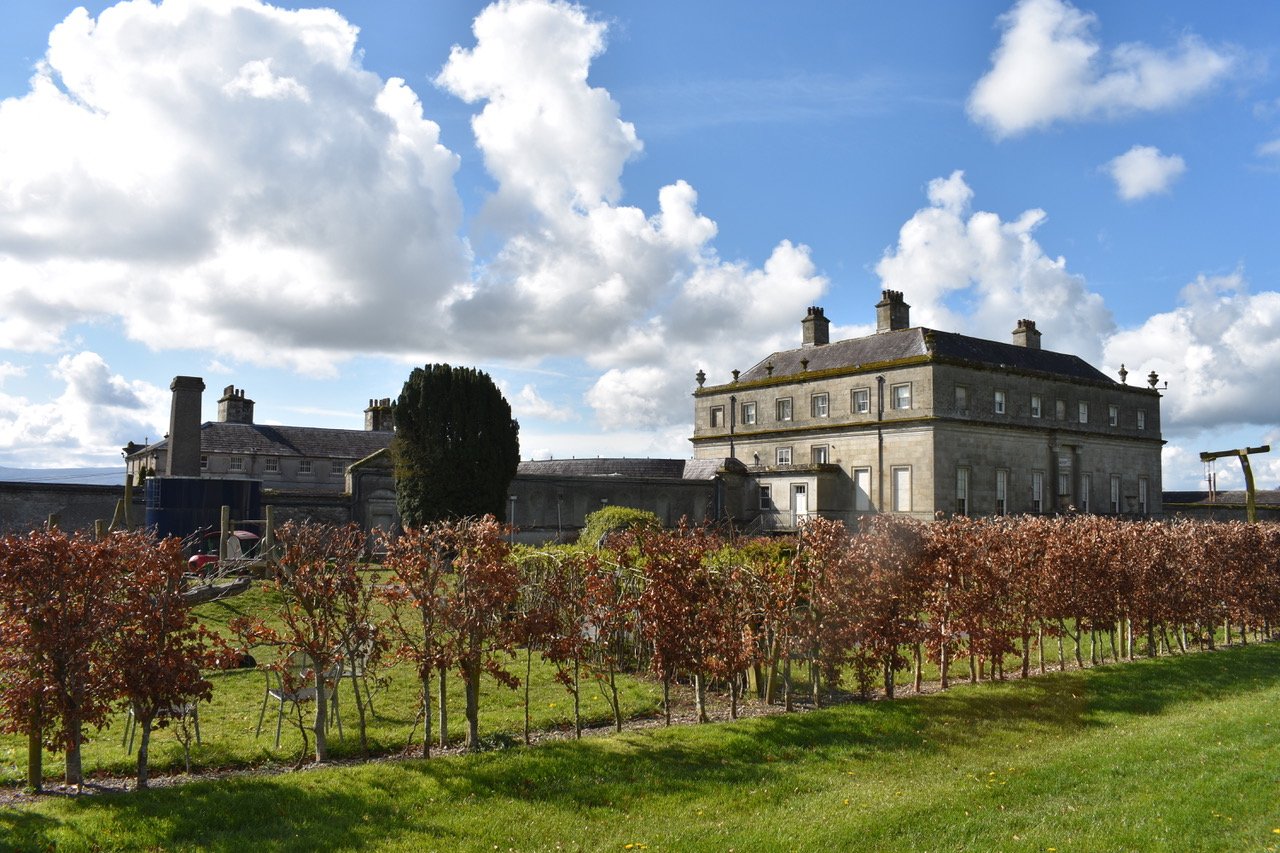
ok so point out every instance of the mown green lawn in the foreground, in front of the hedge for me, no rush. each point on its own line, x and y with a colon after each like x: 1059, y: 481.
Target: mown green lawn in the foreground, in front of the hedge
x: 1177, y: 754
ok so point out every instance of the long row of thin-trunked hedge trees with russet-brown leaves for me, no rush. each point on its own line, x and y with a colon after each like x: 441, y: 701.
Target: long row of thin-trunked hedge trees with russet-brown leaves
x: 844, y: 608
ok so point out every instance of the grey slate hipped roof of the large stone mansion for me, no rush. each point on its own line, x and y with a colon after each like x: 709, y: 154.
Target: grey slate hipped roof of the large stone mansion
x: 916, y: 343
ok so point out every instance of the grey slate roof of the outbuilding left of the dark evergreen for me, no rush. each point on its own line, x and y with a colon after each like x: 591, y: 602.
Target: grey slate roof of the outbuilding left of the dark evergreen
x: 264, y: 440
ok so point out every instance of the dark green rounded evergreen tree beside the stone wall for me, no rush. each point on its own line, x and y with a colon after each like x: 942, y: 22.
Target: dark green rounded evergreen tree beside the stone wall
x: 456, y: 446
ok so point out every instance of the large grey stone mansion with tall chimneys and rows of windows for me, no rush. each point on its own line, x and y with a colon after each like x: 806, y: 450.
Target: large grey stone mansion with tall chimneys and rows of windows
x: 924, y: 422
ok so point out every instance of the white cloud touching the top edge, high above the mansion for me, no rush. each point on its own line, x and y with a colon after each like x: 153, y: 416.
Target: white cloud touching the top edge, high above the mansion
x: 1052, y: 69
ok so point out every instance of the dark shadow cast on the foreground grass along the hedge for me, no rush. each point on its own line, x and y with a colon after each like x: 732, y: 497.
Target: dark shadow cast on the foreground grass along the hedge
x: 362, y: 808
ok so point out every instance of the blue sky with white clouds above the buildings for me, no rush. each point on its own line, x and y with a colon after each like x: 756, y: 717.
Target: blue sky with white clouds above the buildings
x: 595, y: 202
